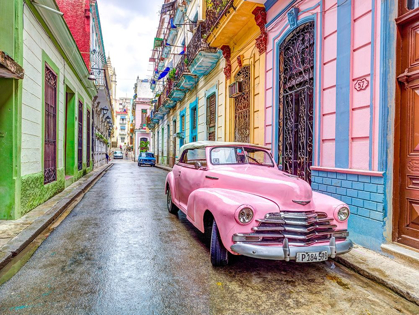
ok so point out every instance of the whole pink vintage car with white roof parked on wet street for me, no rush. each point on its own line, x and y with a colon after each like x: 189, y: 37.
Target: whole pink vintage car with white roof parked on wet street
x: 237, y: 196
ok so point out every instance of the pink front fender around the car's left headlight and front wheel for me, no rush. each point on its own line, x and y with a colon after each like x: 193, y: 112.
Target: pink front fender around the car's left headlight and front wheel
x: 223, y: 204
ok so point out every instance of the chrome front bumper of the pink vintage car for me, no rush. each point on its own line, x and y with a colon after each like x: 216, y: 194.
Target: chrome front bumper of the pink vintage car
x: 288, y: 253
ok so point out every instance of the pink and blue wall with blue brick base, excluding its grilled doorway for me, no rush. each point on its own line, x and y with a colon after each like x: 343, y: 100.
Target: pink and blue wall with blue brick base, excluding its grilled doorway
x: 346, y: 163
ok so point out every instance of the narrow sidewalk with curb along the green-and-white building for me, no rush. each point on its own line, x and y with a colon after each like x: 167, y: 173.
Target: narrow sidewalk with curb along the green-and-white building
x: 15, y: 235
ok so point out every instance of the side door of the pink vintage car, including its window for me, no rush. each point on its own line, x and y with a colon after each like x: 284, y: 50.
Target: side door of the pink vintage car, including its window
x: 189, y: 178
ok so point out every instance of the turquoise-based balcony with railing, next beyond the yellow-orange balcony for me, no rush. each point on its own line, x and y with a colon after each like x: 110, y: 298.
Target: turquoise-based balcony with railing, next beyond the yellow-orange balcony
x: 202, y: 58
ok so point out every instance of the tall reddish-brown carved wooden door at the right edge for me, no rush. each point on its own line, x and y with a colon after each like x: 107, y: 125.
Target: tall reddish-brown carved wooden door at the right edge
x: 407, y: 127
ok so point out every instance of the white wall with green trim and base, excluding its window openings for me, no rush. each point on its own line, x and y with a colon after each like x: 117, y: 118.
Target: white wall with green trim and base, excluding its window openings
x: 39, y: 49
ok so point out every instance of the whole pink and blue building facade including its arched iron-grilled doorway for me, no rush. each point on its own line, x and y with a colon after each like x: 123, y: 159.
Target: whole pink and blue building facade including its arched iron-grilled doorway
x: 326, y: 114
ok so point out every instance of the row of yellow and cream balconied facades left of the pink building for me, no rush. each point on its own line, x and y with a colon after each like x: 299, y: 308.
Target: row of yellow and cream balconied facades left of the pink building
x: 214, y: 90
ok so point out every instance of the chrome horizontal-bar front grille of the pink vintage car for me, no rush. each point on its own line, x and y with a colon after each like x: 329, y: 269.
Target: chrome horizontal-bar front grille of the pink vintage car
x: 300, y: 228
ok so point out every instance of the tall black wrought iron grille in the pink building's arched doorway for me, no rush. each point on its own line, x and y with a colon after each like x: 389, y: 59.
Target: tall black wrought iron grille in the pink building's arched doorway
x: 296, y: 102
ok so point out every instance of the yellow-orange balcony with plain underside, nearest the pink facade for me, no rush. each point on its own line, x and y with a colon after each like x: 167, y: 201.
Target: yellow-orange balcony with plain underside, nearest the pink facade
x: 229, y: 20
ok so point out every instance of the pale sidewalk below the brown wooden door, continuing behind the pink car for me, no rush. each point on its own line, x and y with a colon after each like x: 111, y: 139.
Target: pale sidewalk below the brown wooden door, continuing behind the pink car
x: 399, y: 273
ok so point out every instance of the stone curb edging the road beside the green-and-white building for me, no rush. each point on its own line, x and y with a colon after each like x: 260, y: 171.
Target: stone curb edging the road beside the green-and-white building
x: 23, y: 239
